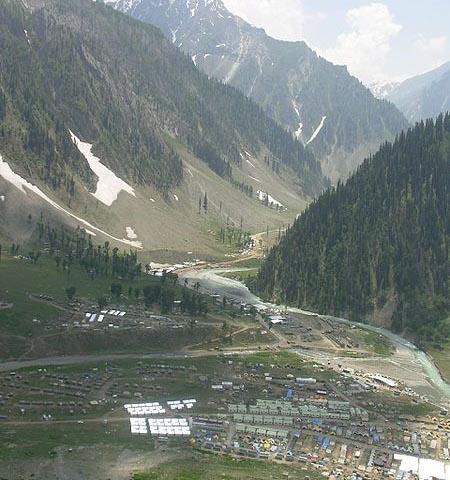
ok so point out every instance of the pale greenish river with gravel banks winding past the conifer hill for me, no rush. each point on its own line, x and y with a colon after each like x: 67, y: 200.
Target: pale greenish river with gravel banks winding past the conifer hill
x: 408, y: 364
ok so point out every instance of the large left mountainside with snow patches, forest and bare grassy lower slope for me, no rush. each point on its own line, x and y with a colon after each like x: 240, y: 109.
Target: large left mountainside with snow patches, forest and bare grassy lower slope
x: 113, y: 128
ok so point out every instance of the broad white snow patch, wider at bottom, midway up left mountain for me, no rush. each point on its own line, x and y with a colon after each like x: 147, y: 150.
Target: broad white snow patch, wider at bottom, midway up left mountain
x: 109, y: 185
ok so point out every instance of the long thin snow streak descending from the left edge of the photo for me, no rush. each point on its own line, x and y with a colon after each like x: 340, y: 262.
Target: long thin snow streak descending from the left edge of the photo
x: 23, y: 185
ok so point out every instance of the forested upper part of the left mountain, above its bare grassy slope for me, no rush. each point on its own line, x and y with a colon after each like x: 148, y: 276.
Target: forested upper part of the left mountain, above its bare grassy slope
x: 81, y: 71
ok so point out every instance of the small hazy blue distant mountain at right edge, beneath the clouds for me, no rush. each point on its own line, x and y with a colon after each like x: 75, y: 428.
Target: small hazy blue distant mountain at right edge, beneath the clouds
x: 424, y: 96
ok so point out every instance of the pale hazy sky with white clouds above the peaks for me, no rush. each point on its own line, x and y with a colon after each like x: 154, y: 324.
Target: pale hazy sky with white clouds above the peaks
x: 378, y: 41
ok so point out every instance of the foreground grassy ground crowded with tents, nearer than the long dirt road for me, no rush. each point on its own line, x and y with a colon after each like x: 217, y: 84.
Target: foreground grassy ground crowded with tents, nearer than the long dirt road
x: 49, y: 431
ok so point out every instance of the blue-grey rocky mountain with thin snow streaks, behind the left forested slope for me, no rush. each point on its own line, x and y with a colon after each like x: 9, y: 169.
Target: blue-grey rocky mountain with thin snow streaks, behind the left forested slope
x: 320, y: 103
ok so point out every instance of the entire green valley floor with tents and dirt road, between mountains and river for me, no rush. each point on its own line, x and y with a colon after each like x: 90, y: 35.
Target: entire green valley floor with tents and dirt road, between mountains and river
x: 62, y: 412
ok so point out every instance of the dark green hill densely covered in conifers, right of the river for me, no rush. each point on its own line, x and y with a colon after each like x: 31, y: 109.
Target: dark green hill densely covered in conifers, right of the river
x: 378, y: 246
